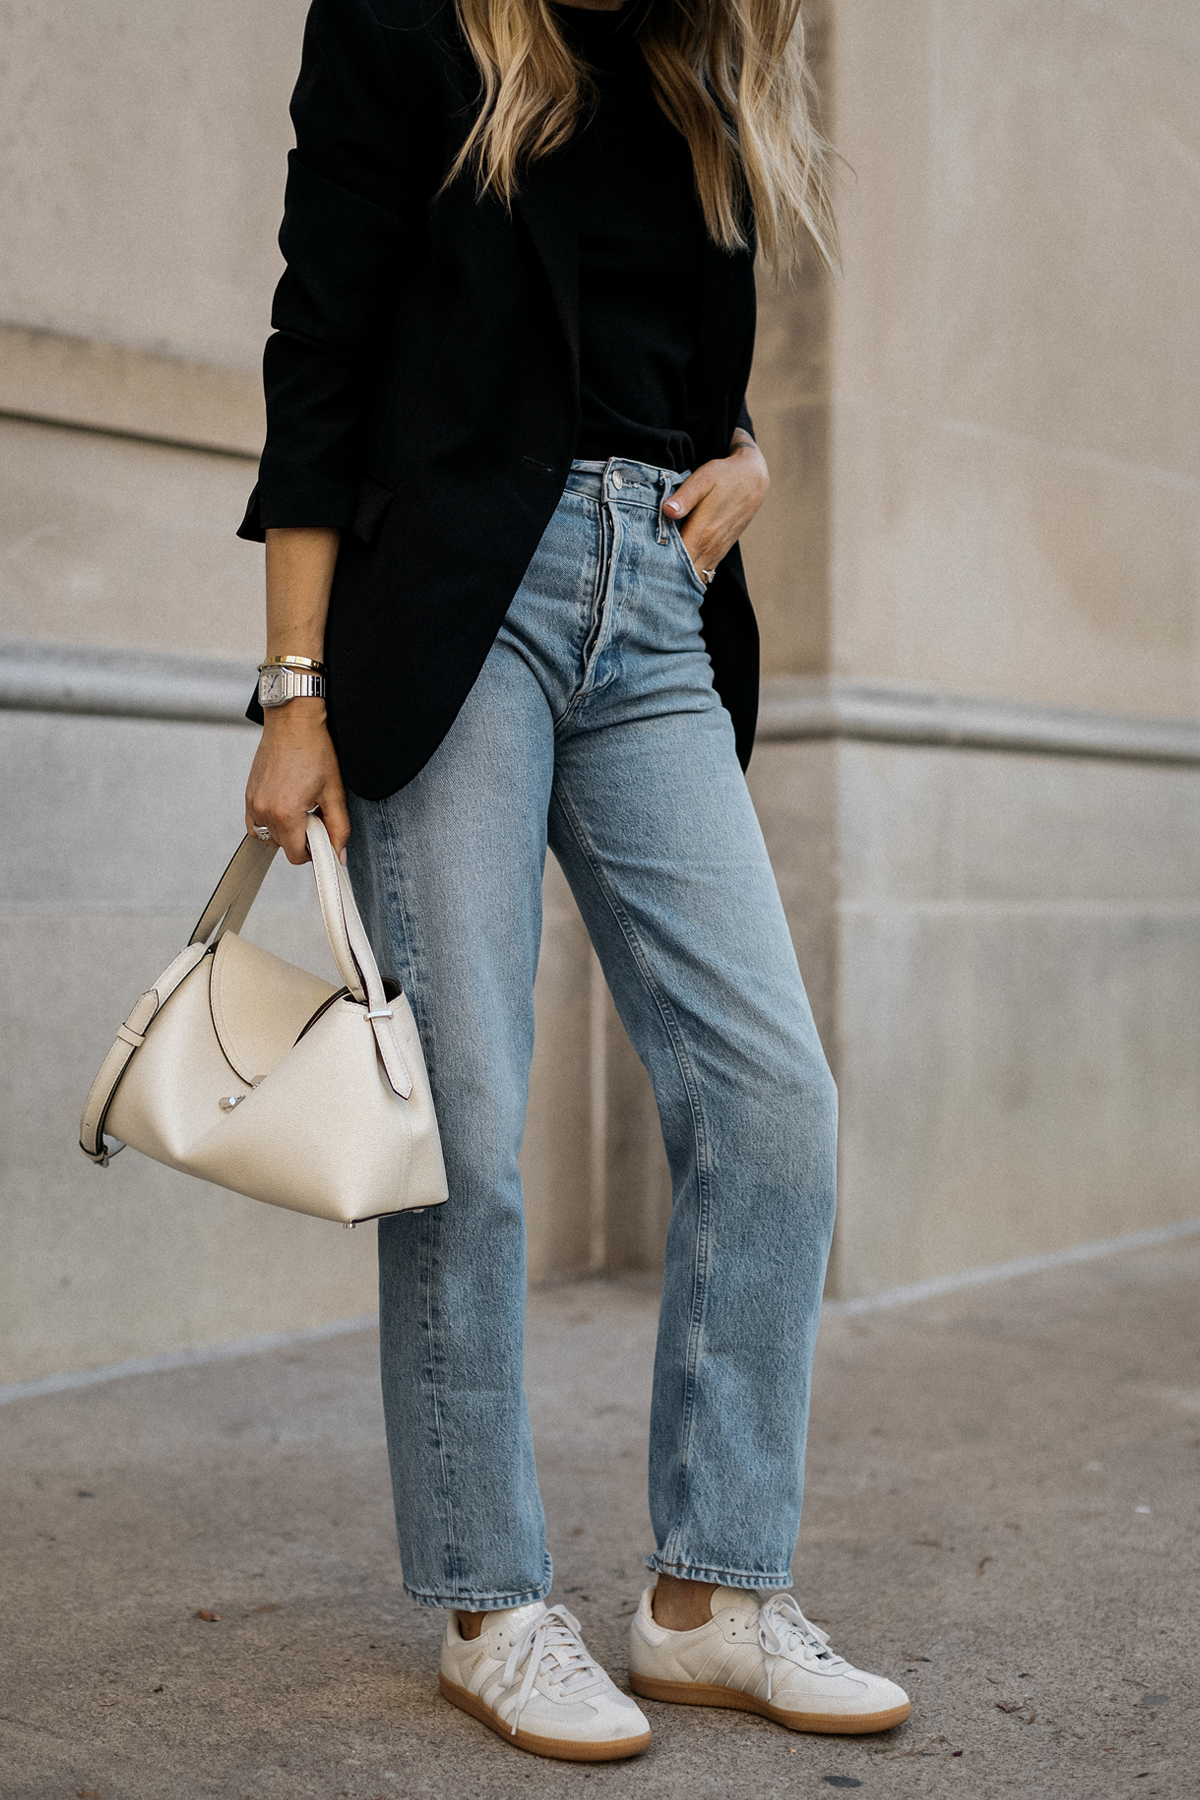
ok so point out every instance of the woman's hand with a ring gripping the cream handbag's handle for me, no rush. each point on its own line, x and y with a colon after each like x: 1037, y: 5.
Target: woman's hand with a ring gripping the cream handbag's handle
x: 294, y: 773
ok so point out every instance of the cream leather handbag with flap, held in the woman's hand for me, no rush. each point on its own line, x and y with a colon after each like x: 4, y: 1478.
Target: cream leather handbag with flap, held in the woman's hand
x: 256, y: 1075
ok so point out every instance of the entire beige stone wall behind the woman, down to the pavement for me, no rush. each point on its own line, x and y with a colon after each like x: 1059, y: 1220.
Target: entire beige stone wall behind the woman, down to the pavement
x: 978, y: 577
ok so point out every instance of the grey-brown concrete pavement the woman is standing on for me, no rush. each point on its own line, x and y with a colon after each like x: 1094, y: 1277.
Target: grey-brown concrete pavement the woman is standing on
x: 1001, y: 1515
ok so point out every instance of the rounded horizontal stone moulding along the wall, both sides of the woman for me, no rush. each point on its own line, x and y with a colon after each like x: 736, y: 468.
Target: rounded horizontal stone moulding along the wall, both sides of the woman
x: 57, y: 678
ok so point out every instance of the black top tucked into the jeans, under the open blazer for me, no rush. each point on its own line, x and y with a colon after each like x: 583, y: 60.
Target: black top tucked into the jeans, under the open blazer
x: 641, y: 233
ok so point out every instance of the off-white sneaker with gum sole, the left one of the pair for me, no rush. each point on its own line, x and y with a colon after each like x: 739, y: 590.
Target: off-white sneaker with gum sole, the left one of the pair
x: 528, y: 1677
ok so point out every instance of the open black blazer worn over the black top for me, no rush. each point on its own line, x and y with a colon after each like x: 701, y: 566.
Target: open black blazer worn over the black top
x: 424, y: 384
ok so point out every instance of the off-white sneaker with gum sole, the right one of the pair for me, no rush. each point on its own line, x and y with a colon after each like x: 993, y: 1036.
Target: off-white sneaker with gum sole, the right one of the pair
x: 760, y: 1655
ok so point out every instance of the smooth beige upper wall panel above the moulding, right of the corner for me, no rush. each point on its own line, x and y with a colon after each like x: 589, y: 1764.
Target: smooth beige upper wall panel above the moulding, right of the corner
x: 1016, y: 372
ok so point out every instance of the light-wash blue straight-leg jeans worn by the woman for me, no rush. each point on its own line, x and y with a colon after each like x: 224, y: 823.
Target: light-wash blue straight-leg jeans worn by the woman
x: 595, y: 726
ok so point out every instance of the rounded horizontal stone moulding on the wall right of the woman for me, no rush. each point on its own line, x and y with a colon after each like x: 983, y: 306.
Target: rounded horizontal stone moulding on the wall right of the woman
x: 875, y: 714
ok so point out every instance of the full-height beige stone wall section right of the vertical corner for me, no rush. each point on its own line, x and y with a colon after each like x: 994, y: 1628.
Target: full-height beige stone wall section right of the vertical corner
x: 1012, y: 966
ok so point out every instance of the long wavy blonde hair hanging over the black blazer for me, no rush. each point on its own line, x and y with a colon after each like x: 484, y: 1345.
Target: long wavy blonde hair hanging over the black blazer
x: 731, y: 75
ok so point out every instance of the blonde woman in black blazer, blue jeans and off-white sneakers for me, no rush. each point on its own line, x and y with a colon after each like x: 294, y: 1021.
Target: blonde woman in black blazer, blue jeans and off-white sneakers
x: 506, y: 471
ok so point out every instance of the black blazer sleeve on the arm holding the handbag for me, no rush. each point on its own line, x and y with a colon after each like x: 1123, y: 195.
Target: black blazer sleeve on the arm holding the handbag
x: 348, y: 217
